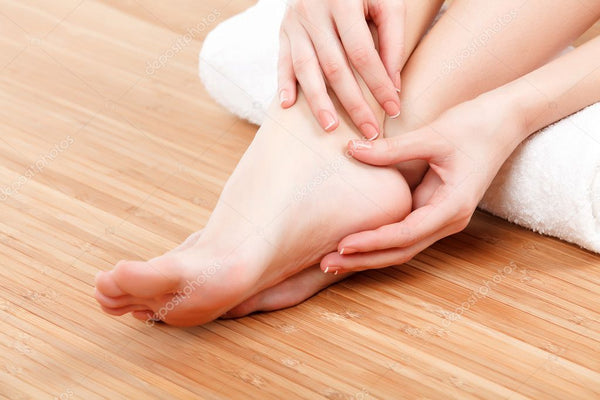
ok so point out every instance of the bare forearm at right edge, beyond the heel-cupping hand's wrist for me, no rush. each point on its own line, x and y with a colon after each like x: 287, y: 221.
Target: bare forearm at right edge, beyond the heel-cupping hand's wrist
x: 555, y: 90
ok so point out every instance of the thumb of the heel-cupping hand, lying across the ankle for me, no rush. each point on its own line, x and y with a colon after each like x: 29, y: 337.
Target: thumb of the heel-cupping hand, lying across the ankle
x: 422, y: 144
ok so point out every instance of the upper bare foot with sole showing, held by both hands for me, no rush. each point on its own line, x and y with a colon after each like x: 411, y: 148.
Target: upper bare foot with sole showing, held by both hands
x: 293, y: 196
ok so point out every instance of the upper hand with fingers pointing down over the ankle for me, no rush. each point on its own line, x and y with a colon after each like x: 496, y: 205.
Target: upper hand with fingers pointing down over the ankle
x: 325, y: 39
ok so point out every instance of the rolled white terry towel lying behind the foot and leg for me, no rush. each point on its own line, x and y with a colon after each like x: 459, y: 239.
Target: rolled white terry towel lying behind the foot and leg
x: 550, y: 184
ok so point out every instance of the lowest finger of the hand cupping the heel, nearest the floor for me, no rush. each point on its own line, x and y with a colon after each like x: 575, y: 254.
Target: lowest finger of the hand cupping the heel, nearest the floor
x: 334, y: 262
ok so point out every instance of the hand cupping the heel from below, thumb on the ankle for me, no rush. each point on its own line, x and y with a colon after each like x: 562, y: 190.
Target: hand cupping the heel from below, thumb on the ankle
x: 465, y: 147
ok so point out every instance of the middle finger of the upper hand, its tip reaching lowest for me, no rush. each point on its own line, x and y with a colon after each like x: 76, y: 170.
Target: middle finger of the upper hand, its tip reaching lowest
x: 340, y: 77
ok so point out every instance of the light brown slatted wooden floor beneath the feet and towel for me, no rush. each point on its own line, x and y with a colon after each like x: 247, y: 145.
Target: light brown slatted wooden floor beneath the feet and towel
x: 106, y: 156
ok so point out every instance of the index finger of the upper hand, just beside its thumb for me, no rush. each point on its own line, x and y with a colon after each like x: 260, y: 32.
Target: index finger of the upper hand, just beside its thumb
x: 360, y: 49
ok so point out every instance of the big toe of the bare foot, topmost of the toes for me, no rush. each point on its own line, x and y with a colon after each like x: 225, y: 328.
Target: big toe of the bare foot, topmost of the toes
x: 148, y: 279
